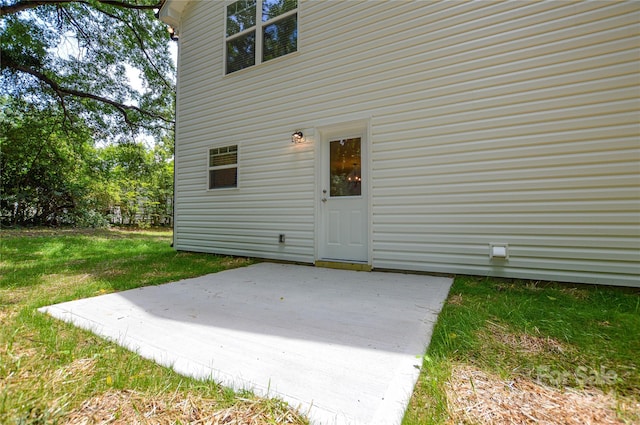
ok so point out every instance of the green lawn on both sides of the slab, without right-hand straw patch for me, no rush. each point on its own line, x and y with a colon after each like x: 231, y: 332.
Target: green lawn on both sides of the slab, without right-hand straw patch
x: 585, y: 338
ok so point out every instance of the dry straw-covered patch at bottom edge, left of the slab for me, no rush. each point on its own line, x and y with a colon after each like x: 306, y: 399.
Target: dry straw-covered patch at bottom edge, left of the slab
x: 128, y: 407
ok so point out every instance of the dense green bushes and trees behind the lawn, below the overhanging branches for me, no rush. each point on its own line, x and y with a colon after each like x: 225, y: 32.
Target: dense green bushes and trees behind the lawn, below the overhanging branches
x: 54, y: 176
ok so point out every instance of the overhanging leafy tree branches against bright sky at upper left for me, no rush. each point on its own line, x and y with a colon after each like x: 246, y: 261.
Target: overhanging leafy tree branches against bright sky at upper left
x: 80, y: 54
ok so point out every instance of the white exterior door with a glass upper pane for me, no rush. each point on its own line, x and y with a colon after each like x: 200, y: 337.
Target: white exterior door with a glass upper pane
x: 343, y: 199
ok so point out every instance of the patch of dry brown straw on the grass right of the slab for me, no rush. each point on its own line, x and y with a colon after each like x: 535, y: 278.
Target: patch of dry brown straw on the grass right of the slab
x: 477, y: 397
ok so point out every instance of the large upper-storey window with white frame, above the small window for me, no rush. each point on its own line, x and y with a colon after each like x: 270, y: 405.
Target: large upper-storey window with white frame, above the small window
x: 259, y: 30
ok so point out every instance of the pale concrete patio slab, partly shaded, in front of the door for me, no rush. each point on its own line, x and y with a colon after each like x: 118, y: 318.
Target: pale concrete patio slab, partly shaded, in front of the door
x: 343, y: 346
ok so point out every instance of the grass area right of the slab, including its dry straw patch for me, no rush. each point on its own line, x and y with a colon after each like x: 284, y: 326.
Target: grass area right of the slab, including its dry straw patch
x: 549, y: 338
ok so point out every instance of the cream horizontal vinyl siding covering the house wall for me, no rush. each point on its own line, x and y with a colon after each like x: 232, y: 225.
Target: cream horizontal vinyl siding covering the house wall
x: 491, y: 122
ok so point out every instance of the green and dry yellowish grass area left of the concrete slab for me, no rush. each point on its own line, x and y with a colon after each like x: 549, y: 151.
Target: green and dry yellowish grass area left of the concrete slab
x: 52, y: 372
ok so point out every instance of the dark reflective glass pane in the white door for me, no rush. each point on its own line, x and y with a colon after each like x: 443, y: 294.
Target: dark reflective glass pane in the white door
x: 345, y: 167
